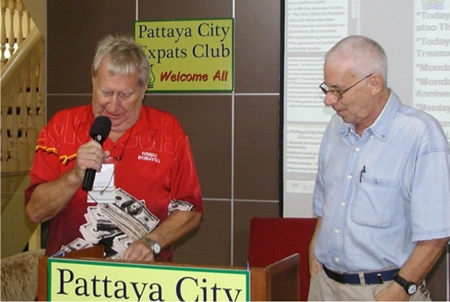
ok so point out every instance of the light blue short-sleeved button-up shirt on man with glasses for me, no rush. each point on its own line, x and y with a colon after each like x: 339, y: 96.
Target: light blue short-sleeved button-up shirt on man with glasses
x: 381, y: 193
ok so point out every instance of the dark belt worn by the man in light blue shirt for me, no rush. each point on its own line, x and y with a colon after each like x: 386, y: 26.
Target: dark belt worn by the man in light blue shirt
x: 370, y: 278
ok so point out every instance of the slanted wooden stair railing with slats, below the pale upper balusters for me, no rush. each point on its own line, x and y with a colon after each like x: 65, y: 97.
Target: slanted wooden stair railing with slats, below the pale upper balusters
x: 22, y: 106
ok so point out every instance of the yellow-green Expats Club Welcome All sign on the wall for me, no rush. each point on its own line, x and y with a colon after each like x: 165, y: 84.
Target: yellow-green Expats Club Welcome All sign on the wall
x: 188, y: 55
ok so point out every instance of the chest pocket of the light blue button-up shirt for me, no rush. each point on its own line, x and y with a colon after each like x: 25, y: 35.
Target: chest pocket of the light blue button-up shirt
x: 374, y: 202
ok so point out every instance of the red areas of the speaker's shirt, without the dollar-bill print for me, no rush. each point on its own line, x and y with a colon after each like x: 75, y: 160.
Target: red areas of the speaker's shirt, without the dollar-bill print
x: 156, y: 166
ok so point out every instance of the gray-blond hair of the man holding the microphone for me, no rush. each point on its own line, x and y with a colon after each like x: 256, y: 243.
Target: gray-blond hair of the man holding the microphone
x: 125, y: 58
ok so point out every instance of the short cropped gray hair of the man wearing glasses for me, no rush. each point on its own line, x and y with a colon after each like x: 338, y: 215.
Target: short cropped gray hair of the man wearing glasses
x: 363, y: 54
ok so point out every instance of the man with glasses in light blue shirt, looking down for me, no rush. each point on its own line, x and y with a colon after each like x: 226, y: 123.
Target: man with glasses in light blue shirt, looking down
x: 382, y: 194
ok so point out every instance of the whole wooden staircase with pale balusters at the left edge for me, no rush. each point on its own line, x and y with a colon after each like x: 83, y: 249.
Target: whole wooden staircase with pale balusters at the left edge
x: 22, y: 117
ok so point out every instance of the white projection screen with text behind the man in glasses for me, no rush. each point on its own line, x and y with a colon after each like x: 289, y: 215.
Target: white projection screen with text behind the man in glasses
x: 416, y: 37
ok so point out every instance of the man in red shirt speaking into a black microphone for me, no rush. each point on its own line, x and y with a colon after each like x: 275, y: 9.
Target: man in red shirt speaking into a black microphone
x: 146, y: 192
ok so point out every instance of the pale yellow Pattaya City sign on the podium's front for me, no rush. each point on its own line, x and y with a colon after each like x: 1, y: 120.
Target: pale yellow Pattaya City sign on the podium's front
x: 85, y: 280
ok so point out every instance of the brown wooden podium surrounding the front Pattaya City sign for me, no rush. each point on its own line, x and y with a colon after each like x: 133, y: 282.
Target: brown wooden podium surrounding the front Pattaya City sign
x: 275, y: 282
